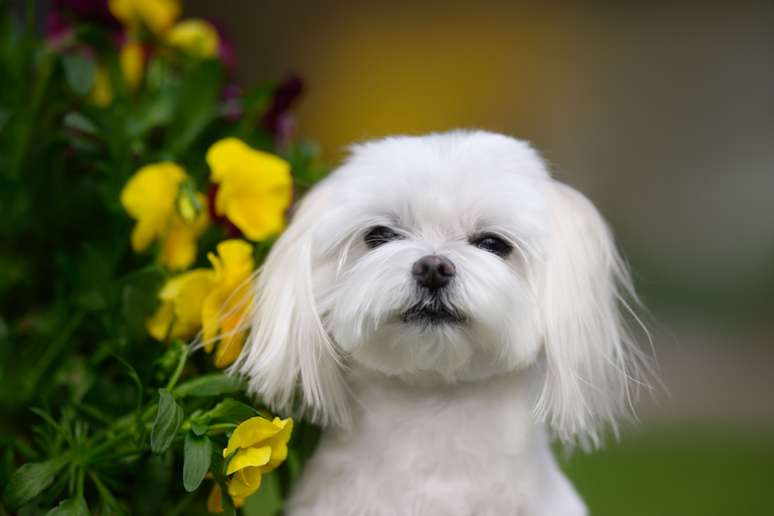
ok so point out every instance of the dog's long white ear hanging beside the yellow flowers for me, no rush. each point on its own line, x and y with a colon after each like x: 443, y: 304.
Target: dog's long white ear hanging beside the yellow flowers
x: 289, y: 359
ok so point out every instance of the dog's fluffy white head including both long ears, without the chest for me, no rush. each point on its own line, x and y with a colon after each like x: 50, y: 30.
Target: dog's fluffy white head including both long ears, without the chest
x: 451, y: 256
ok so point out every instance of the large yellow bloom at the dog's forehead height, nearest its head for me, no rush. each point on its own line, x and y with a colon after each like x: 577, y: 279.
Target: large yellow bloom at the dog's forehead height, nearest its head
x: 255, y: 187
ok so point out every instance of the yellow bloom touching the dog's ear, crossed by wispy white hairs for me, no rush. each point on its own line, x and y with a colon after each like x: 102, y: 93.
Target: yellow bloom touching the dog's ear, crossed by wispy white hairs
x: 228, y: 303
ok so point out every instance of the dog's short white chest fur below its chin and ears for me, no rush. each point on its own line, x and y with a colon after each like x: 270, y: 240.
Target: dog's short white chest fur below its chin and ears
x: 471, y: 449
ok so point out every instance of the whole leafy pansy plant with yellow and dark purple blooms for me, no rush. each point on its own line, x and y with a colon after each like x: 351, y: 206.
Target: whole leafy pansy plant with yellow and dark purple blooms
x: 141, y: 189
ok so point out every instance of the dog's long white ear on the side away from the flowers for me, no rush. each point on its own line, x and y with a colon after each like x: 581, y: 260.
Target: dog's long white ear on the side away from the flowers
x: 591, y: 360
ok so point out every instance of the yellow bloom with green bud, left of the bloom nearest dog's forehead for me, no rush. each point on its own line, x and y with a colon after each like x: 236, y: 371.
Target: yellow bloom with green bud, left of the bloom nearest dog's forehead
x: 149, y: 197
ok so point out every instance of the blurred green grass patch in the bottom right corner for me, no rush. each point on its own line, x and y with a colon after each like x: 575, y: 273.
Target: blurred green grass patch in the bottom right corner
x: 680, y: 471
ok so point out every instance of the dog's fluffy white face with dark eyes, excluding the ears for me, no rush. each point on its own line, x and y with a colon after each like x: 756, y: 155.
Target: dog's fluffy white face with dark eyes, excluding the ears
x: 428, y: 248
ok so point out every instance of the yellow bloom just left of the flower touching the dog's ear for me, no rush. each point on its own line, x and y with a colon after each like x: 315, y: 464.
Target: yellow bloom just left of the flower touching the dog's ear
x: 180, y: 313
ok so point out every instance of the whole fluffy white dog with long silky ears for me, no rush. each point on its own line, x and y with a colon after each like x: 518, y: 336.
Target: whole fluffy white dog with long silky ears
x: 443, y: 308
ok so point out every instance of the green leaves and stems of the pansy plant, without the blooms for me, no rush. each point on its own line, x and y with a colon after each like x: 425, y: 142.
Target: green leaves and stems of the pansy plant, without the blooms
x: 92, y: 410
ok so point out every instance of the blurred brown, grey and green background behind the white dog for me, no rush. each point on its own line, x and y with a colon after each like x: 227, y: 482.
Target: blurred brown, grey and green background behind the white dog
x: 663, y: 114
